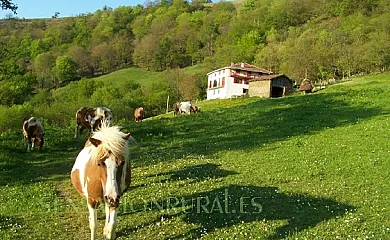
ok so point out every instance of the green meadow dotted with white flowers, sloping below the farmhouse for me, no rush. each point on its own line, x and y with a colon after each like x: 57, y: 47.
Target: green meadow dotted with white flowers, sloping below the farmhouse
x: 300, y: 167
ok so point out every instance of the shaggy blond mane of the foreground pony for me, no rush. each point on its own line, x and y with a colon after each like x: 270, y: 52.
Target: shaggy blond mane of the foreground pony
x: 111, y: 140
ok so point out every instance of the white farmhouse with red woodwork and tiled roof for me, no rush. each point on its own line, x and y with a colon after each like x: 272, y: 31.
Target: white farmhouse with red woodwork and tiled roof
x: 233, y: 80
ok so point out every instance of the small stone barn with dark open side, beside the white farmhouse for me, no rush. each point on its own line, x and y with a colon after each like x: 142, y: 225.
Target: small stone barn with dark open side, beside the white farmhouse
x: 270, y: 86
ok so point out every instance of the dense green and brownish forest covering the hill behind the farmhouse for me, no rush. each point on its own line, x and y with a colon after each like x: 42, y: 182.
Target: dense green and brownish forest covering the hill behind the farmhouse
x: 317, y: 39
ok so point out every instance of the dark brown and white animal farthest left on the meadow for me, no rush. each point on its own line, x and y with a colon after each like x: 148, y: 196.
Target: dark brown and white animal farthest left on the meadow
x: 33, y: 133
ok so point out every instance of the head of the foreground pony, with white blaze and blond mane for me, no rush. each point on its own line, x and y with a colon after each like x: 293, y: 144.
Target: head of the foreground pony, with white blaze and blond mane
x: 111, y: 155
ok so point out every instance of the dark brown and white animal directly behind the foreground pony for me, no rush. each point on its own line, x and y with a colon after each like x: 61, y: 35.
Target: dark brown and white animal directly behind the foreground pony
x: 91, y: 118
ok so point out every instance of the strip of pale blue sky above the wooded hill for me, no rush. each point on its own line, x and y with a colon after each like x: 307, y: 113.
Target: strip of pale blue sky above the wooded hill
x: 47, y: 8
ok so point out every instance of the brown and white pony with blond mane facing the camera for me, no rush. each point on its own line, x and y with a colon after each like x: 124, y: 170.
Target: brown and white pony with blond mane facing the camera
x: 102, y: 173
